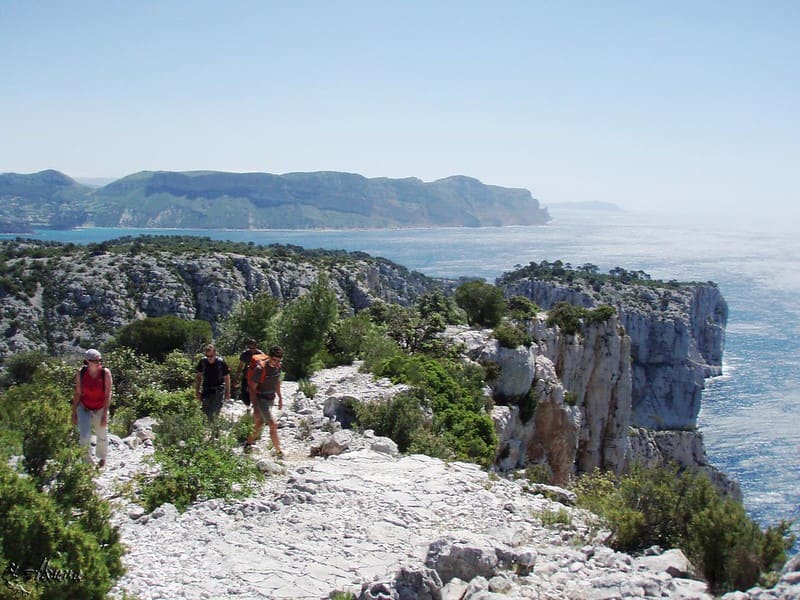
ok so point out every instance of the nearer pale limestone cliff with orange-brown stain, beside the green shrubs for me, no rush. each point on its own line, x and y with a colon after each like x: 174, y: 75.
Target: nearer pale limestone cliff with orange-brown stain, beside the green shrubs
x: 564, y: 401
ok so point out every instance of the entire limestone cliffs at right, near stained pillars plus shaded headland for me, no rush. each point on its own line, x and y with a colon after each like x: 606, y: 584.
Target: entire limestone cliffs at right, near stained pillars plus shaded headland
x: 621, y: 391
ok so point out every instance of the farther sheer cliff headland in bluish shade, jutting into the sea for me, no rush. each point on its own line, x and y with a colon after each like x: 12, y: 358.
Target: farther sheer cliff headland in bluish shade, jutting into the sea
x: 676, y: 336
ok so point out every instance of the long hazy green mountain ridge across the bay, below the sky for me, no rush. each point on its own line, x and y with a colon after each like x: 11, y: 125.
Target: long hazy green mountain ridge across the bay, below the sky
x: 299, y: 200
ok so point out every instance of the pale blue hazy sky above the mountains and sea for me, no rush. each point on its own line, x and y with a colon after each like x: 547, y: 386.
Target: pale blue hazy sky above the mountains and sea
x: 693, y: 105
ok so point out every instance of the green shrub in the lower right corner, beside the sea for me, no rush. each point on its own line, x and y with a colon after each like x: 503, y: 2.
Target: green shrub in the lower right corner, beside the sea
x: 670, y: 508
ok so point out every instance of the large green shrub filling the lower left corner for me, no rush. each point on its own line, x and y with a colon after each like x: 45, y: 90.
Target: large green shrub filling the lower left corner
x: 49, y: 512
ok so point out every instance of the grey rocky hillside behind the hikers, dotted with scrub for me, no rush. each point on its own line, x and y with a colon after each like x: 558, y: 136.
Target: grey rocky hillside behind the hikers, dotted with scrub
x: 79, y: 299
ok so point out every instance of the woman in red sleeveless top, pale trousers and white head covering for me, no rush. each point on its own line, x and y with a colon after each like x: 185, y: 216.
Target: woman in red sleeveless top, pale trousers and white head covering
x: 90, y: 404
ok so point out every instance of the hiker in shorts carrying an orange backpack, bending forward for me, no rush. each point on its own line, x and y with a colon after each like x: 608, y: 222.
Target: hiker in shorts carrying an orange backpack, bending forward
x: 265, y: 383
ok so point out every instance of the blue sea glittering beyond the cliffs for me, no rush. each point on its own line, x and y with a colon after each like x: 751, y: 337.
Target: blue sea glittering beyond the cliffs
x: 750, y: 416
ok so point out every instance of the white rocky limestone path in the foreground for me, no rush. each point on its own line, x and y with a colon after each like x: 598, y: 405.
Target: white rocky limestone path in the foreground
x: 371, y: 523
